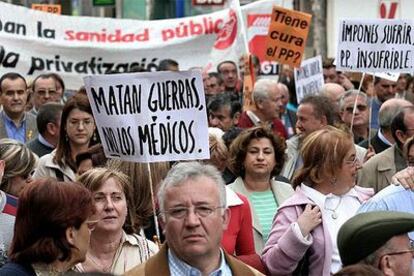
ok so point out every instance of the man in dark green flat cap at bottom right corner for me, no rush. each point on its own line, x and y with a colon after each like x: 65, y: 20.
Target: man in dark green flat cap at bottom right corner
x: 378, y: 239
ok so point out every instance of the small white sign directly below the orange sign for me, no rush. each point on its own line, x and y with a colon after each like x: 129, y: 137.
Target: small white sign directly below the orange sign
x: 309, y: 77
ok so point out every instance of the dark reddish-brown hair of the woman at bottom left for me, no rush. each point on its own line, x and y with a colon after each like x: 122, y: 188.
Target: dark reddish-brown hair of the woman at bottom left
x: 46, y: 209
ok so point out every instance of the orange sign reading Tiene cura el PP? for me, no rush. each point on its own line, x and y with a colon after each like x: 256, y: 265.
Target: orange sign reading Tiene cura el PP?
x: 286, y: 39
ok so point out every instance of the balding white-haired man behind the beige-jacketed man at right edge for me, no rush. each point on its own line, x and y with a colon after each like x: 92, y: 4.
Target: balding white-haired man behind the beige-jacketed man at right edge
x: 383, y: 139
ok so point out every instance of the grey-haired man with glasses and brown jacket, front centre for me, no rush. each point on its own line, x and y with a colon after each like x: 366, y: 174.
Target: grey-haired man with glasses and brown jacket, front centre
x: 192, y: 201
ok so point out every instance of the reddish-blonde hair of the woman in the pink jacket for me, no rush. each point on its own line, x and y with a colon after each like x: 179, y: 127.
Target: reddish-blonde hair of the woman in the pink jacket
x: 323, y: 152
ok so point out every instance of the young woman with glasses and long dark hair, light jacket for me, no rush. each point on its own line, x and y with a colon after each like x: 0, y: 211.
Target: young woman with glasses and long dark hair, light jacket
x: 77, y: 129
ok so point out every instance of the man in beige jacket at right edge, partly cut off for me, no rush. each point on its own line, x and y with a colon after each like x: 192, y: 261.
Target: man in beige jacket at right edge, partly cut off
x: 377, y: 172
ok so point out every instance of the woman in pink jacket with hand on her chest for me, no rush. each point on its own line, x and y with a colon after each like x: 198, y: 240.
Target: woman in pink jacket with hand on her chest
x: 303, y: 235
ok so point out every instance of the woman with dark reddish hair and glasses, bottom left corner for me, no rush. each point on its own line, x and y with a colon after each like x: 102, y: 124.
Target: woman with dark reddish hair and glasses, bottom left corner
x: 52, y: 228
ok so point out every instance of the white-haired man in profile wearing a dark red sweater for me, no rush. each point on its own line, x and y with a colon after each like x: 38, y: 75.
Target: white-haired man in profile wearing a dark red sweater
x: 267, y: 99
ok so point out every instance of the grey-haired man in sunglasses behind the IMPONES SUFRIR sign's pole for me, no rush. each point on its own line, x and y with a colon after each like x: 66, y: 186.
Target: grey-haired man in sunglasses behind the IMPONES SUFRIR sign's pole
x: 358, y: 119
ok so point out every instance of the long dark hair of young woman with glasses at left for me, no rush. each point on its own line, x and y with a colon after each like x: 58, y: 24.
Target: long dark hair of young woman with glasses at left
x: 63, y: 150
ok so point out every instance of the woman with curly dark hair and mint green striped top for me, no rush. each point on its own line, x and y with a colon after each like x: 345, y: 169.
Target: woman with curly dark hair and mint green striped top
x: 256, y: 156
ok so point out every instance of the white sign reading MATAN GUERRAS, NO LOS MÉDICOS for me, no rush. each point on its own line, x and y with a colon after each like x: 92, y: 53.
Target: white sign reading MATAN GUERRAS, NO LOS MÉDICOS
x: 150, y: 117
